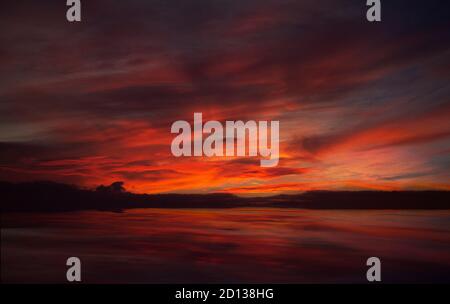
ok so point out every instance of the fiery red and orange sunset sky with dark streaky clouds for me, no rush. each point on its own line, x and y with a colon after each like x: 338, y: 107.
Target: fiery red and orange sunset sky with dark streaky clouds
x: 361, y: 105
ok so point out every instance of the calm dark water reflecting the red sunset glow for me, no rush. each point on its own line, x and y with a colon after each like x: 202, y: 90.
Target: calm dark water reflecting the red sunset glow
x: 231, y: 245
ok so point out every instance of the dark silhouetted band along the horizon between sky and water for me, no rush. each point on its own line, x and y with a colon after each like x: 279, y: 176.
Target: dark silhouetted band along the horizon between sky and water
x: 57, y: 197
